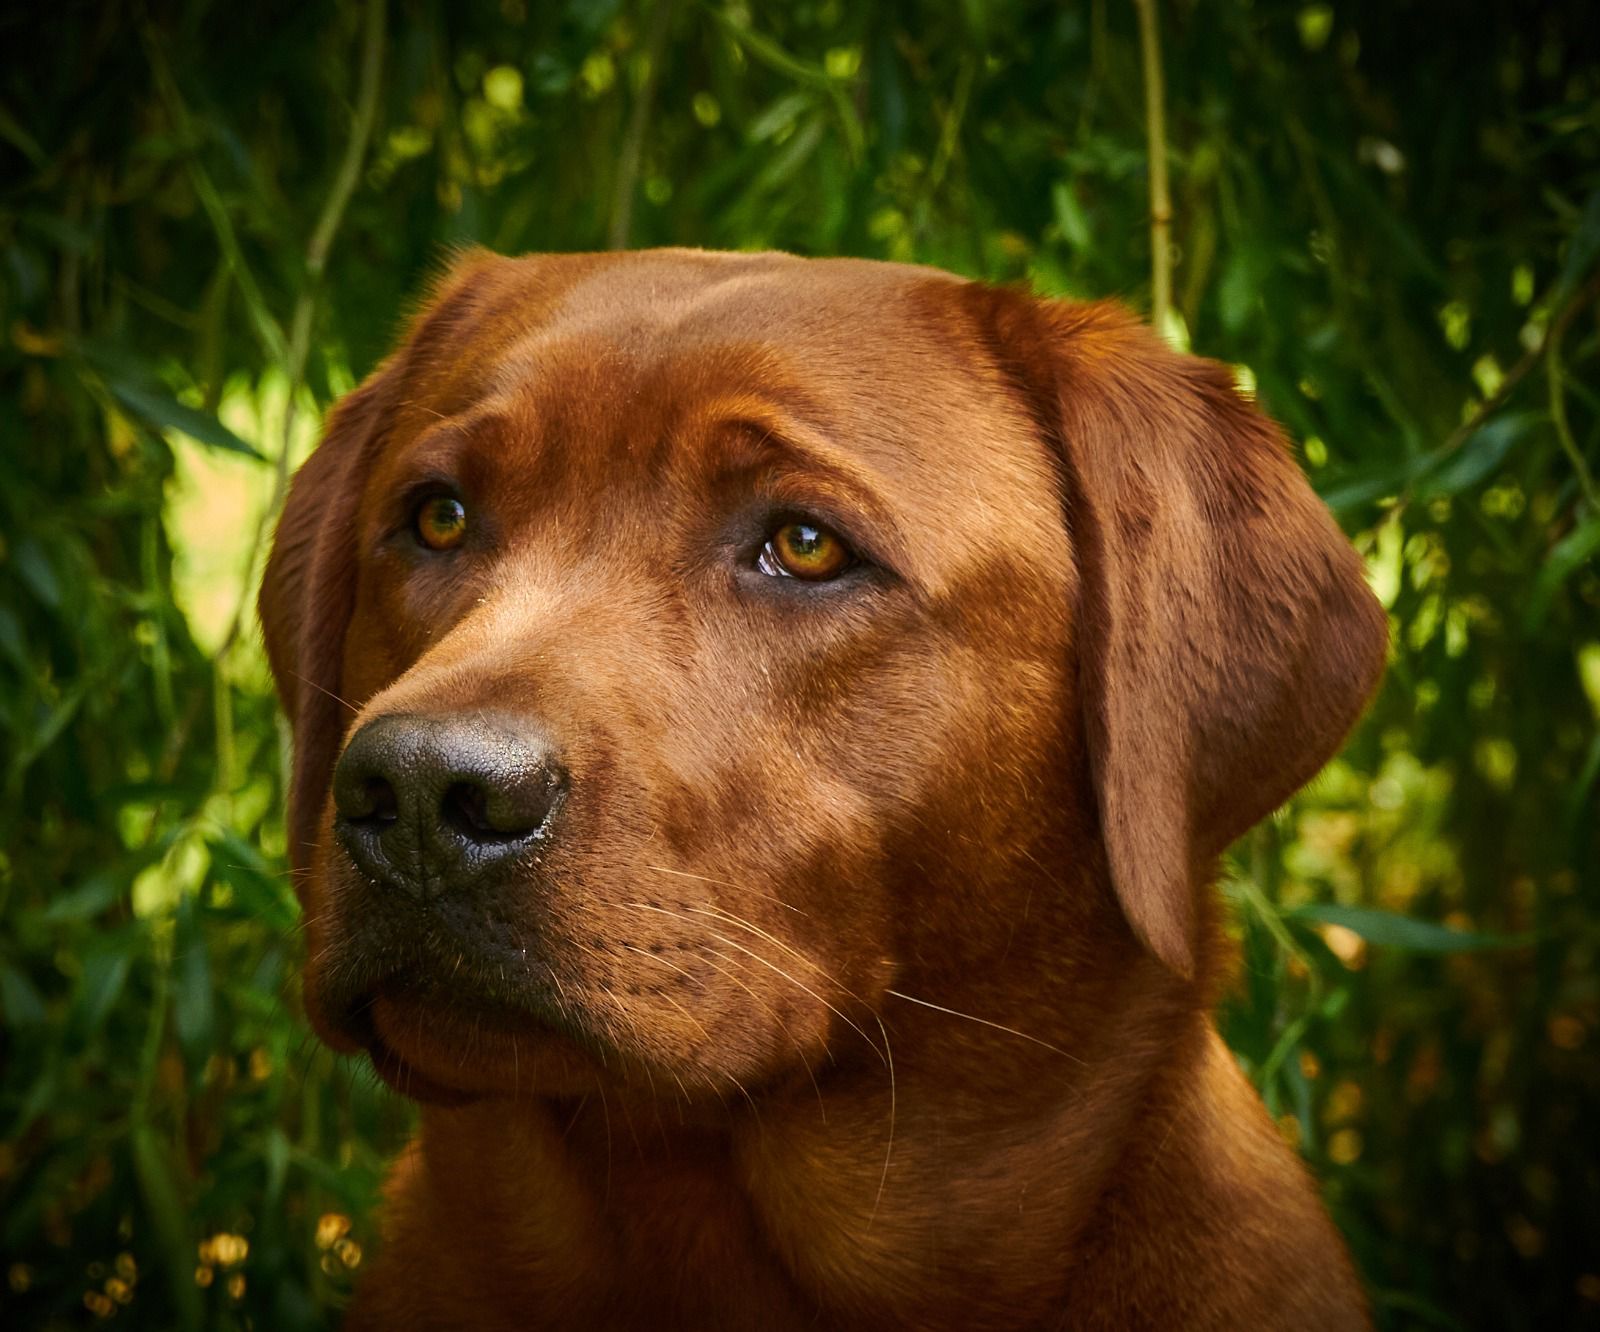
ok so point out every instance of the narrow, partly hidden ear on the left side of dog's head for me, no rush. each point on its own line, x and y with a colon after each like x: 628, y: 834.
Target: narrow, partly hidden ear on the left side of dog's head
x: 308, y: 592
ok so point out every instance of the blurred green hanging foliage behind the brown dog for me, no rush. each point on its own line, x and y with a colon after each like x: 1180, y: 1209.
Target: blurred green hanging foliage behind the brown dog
x: 214, y: 219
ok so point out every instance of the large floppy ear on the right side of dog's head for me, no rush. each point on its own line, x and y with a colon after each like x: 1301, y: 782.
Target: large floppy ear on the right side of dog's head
x: 1228, y: 640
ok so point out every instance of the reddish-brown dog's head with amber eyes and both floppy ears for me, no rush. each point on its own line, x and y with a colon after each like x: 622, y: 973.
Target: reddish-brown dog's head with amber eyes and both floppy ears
x: 684, y: 649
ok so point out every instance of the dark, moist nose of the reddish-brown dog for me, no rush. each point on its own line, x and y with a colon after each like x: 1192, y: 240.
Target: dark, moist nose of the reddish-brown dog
x: 436, y: 804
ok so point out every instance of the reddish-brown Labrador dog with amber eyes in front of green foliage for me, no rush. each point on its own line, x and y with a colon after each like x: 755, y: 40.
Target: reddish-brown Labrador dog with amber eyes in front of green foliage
x: 764, y: 737
